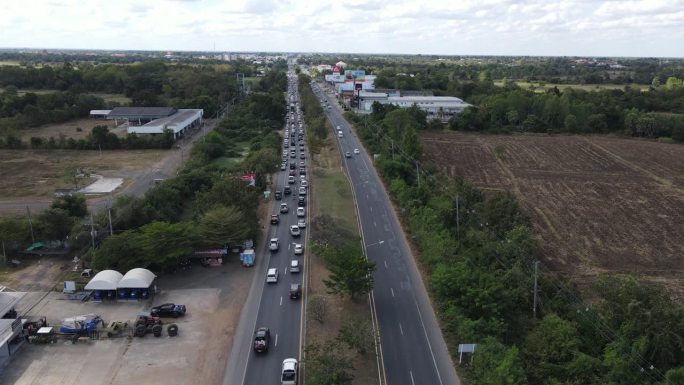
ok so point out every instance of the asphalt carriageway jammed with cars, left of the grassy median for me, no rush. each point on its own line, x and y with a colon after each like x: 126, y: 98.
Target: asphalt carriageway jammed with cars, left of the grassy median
x: 269, y: 305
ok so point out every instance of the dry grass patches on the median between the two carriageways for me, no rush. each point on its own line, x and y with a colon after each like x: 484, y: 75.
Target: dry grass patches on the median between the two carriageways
x: 333, y: 197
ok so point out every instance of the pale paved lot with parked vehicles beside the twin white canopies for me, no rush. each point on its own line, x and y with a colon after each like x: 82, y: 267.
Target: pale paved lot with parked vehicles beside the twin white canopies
x: 214, y: 298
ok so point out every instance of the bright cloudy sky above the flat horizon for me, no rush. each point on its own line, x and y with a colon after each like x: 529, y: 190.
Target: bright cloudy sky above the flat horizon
x: 653, y: 28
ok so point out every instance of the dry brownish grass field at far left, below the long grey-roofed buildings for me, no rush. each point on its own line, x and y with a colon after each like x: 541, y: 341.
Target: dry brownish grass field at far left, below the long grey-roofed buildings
x: 37, y: 173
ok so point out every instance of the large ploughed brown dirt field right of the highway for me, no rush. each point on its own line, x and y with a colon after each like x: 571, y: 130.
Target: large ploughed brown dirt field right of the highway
x: 598, y: 203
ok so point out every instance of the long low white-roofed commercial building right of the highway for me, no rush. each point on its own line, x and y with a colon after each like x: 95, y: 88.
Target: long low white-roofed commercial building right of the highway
x: 437, y: 107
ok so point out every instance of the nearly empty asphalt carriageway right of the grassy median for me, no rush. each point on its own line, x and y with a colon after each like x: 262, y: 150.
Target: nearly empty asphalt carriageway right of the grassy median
x: 412, y: 346
